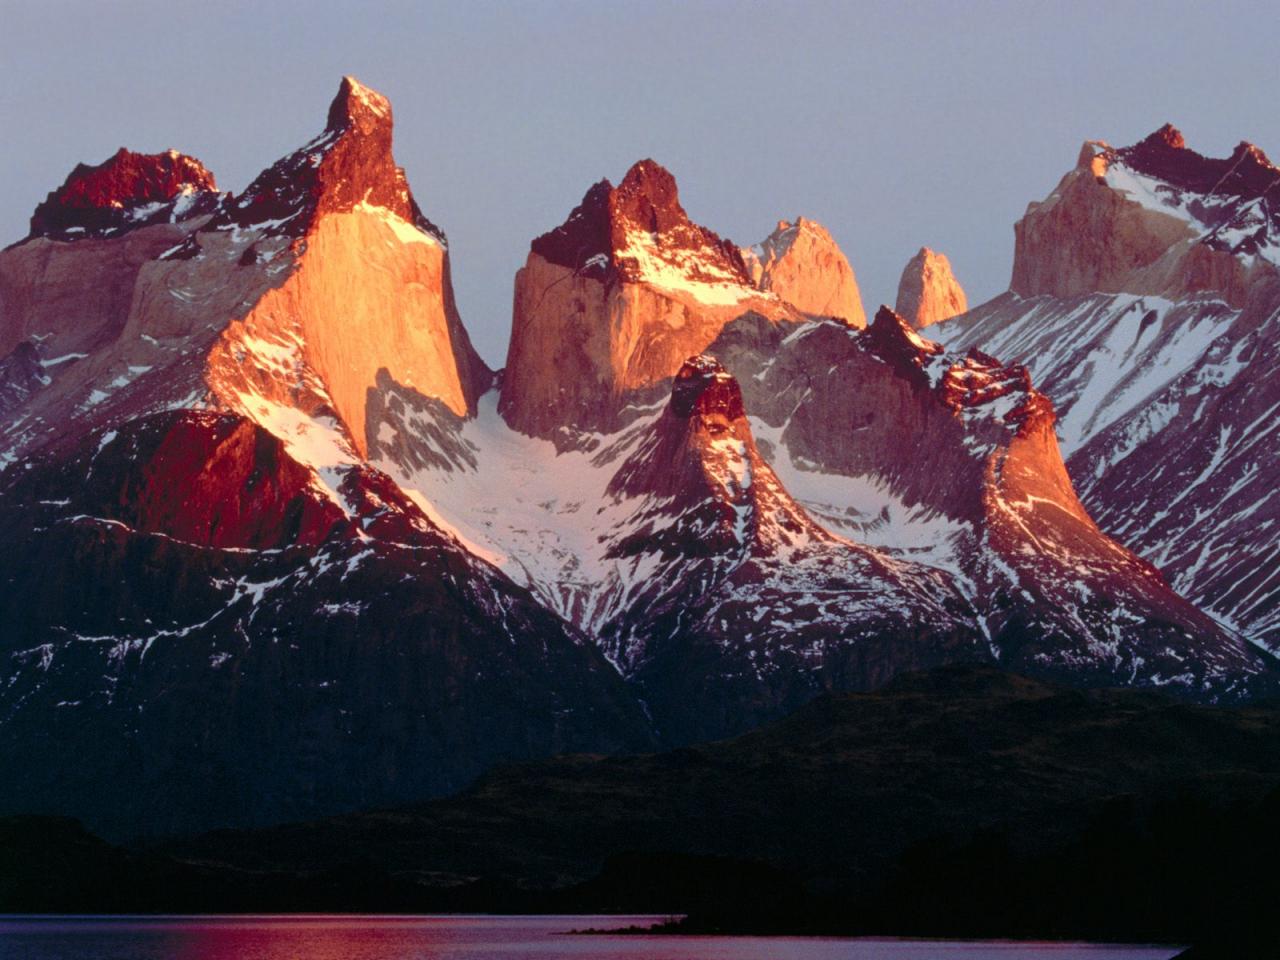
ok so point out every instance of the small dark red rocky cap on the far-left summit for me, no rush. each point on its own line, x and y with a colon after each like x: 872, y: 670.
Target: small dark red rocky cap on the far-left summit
x: 125, y: 193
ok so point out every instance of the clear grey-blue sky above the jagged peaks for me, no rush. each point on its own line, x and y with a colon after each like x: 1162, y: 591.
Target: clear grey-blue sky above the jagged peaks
x: 897, y: 125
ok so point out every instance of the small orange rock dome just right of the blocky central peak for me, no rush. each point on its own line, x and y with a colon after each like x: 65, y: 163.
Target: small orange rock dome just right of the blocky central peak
x: 803, y: 266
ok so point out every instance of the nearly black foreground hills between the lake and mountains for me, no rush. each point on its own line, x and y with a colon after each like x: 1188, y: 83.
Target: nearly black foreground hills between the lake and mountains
x: 962, y: 802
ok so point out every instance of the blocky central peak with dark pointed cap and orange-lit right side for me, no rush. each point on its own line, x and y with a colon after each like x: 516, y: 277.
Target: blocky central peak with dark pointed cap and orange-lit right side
x: 612, y: 303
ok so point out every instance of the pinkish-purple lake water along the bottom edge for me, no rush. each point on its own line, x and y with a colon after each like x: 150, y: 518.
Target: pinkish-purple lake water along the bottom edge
x: 469, y: 939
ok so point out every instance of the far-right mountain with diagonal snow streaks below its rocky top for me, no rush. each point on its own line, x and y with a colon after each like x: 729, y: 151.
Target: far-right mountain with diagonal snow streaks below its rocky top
x: 1168, y: 380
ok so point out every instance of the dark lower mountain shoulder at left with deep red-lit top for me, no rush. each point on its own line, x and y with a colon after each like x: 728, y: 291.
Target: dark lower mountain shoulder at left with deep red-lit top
x: 185, y: 687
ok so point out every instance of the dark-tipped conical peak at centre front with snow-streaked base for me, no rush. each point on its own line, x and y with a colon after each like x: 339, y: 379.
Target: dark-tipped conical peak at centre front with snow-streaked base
x: 747, y: 607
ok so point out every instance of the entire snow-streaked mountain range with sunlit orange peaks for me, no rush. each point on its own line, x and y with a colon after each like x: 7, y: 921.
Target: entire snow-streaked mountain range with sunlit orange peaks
x: 282, y: 546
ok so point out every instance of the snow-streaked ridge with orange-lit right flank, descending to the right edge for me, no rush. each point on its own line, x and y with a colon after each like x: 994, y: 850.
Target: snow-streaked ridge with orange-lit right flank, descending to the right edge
x: 953, y: 461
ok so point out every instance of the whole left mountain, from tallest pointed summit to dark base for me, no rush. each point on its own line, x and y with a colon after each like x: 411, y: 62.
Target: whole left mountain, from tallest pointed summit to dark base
x: 214, y: 609
